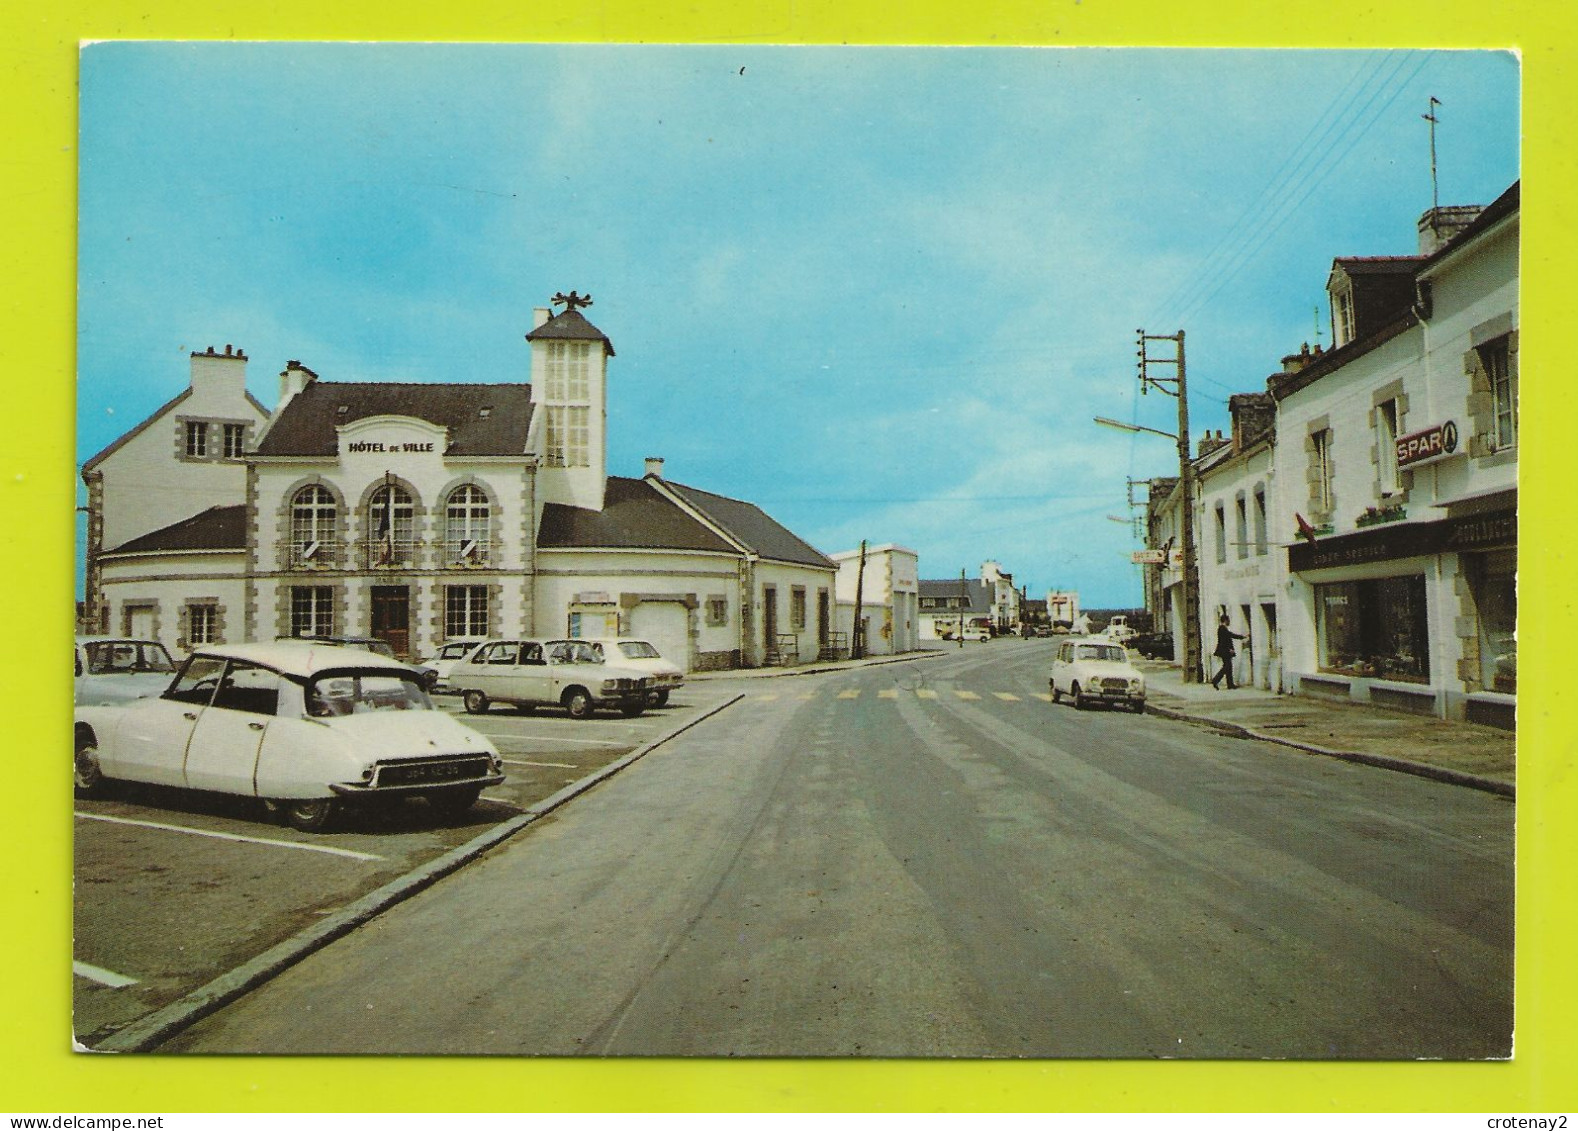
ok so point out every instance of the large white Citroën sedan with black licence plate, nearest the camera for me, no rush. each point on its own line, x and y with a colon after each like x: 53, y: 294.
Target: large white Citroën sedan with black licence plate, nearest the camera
x: 307, y: 728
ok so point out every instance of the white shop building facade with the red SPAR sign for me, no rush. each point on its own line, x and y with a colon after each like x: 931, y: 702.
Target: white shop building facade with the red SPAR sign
x: 1407, y: 594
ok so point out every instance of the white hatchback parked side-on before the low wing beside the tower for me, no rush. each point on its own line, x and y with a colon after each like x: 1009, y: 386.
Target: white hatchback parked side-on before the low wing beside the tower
x: 531, y: 674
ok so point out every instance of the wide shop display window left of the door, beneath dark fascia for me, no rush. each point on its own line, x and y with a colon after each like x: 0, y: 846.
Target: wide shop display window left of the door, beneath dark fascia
x: 1375, y: 629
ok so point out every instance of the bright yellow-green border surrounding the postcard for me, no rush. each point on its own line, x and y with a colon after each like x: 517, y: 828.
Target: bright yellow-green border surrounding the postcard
x: 39, y: 1072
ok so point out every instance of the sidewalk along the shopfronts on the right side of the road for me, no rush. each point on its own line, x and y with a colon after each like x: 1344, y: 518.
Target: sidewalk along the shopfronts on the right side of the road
x: 1460, y: 753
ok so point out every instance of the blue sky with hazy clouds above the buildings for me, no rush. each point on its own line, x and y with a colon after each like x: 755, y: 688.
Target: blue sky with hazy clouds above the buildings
x: 881, y: 293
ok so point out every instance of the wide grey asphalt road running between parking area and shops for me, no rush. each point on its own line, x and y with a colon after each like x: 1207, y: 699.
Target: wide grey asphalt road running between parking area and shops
x: 932, y: 860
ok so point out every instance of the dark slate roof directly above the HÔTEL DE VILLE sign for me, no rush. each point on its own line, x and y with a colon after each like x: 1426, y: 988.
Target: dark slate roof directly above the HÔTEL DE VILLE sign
x: 307, y: 425
